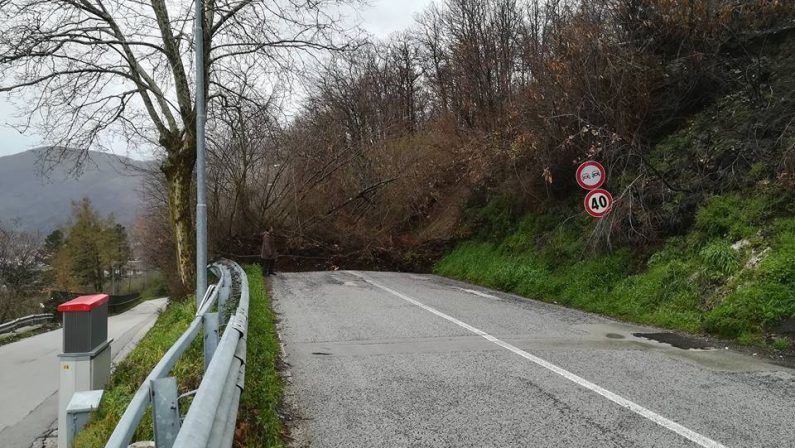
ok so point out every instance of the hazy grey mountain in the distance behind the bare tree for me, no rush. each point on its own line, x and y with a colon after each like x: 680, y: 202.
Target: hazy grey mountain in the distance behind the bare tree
x: 42, y: 203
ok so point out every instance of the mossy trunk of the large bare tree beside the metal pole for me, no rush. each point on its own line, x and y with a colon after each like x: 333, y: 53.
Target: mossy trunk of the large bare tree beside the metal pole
x: 178, y: 170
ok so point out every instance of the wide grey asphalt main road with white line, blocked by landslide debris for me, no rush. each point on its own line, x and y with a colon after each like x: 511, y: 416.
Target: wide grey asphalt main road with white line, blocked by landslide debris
x: 401, y: 360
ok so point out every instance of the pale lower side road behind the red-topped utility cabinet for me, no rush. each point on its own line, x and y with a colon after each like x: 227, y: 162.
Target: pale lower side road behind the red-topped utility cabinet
x: 29, y: 374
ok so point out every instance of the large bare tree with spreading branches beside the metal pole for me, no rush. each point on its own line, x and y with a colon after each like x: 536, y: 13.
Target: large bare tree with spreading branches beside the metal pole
x: 92, y: 71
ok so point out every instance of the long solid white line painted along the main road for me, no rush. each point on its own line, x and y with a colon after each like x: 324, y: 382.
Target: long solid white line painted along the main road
x: 619, y: 400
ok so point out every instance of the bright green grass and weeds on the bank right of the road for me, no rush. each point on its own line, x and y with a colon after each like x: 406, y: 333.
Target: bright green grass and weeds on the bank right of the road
x: 732, y: 274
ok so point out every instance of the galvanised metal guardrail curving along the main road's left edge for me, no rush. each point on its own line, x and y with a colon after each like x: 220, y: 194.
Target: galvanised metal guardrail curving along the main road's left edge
x: 210, y: 420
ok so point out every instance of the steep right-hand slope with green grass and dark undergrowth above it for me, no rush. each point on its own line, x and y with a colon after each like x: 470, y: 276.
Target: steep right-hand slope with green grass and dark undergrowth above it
x: 726, y: 265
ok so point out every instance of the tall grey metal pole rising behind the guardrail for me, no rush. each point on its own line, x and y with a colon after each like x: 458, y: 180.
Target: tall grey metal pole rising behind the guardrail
x: 201, y: 193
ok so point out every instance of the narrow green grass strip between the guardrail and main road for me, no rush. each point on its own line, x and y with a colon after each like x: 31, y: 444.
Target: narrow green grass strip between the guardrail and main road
x: 259, y: 424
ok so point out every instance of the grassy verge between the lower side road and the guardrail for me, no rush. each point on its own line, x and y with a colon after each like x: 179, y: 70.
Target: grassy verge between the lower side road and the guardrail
x: 130, y: 374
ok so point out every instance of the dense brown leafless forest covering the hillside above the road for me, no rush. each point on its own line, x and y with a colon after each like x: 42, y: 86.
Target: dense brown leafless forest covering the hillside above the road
x: 398, y: 141
